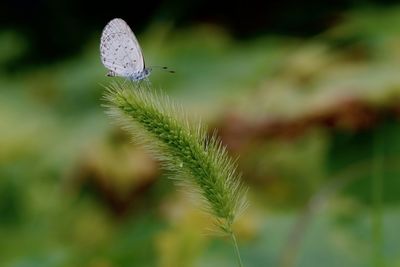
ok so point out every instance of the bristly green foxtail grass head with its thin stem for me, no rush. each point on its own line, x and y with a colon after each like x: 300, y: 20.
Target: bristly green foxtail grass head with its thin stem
x: 194, y: 159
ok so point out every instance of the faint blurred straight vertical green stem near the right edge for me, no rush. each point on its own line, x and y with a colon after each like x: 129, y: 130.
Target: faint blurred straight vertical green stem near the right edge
x: 377, y: 189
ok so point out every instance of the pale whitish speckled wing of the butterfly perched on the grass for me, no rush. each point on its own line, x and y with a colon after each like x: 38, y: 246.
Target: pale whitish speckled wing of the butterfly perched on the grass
x: 120, y: 50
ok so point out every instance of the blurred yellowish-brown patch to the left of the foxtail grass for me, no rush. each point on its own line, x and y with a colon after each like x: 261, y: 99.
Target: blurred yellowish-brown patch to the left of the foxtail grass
x: 118, y: 173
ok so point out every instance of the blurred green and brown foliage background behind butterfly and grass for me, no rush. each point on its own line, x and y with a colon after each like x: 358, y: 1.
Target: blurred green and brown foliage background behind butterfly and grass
x: 304, y: 93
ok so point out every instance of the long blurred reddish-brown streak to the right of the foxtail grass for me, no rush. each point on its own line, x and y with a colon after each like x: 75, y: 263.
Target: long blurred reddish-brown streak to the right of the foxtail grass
x: 349, y: 114
